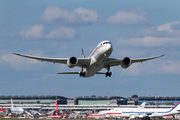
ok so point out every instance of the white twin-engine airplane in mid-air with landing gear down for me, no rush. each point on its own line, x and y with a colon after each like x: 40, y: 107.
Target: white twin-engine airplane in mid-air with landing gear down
x: 97, y: 60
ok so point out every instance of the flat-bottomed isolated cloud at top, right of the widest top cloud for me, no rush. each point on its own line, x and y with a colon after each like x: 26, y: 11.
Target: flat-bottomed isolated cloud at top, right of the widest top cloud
x: 129, y: 18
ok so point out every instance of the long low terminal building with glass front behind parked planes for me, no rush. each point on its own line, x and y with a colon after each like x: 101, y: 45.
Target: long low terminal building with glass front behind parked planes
x: 84, y: 102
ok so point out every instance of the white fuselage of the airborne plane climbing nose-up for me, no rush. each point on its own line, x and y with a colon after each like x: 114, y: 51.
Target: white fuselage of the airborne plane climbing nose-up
x: 98, y: 57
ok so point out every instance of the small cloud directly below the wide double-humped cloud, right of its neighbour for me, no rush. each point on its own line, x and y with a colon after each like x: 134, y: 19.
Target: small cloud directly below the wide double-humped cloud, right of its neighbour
x: 61, y: 33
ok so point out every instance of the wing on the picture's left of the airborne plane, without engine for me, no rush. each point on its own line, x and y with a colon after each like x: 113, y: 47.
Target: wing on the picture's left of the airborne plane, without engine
x: 81, y: 61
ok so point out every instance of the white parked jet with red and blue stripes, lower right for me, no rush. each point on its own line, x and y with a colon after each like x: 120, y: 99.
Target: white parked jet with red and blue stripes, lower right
x: 147, y: 113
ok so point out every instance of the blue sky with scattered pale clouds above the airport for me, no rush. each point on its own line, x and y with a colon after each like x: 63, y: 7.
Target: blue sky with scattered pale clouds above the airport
x: 54, y: 28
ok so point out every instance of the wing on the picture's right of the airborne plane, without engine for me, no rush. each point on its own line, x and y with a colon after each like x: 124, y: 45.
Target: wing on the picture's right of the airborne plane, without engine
x: 116, y: 62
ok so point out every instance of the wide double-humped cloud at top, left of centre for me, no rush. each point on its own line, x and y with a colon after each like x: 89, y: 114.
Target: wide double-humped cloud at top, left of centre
x: 77, y: 16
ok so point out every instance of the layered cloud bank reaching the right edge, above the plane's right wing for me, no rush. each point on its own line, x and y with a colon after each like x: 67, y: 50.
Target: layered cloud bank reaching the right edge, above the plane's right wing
x: 167, y: 34
